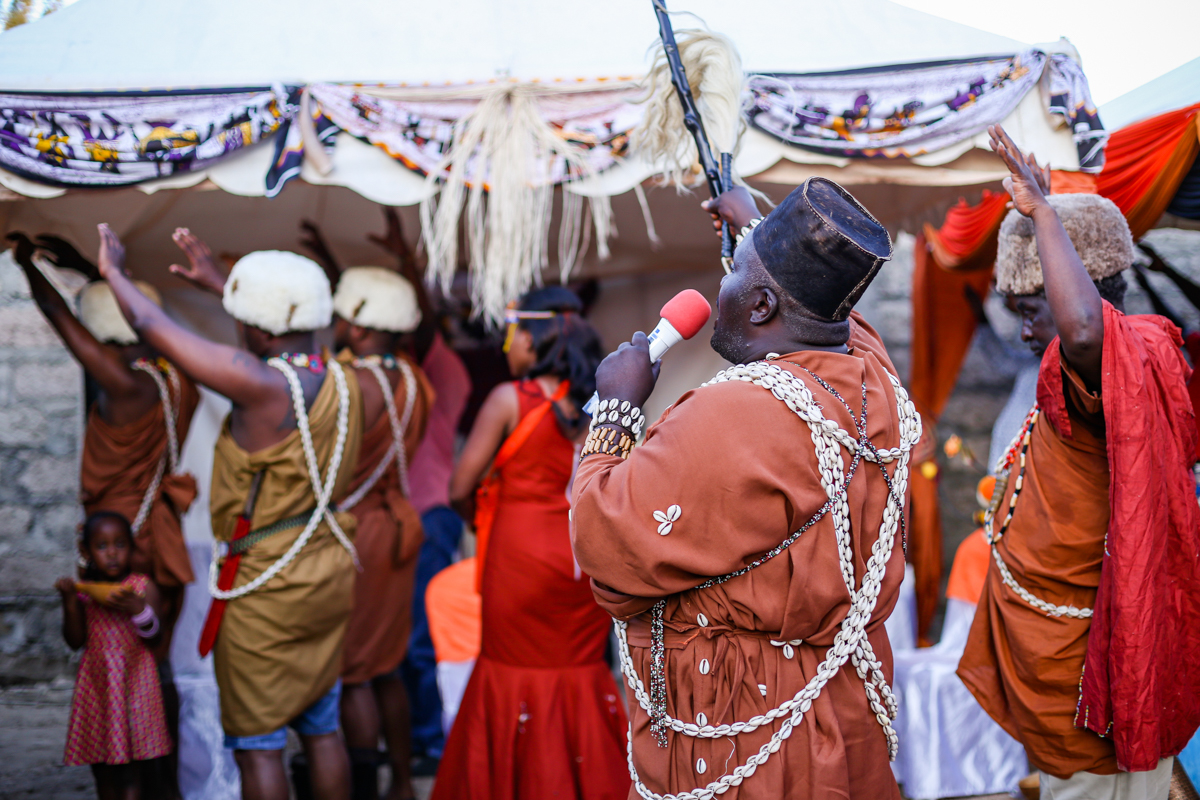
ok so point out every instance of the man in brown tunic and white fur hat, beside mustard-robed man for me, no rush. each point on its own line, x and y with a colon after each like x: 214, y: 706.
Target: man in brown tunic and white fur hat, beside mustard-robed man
x: 374, y: 309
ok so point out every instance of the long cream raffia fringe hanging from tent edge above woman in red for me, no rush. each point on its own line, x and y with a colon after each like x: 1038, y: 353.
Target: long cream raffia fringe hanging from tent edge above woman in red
x: 497, y: 179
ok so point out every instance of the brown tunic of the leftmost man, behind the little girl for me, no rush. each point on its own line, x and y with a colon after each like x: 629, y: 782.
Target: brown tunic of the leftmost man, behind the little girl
x: 119, y: 465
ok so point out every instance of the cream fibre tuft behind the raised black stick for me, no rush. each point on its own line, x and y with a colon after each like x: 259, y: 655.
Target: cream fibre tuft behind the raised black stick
x: 715, y: 73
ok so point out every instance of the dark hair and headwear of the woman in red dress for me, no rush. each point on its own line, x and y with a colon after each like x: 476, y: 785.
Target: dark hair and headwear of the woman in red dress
x: 567, y: 345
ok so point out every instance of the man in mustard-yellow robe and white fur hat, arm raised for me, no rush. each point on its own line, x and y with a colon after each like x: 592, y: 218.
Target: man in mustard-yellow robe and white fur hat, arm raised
x: 287, y: 452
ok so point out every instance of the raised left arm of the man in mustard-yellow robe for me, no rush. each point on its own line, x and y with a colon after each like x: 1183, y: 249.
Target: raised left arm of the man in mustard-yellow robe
x: 230, y: 371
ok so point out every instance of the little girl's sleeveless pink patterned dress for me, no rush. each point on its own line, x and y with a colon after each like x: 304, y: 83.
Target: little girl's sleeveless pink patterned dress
x: 117, y: 714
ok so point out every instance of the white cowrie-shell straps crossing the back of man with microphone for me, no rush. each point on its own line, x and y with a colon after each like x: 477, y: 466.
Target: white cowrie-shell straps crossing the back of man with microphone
x: 851, y: 642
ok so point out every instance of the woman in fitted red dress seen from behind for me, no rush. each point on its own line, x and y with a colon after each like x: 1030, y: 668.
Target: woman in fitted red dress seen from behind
x: 542, y: 717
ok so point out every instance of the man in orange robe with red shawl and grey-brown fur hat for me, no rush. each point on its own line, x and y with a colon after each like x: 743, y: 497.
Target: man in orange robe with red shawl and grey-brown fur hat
x: 1084, y: 647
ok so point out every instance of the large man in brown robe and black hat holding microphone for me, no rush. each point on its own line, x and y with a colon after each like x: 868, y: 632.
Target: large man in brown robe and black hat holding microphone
x: 746, y: 598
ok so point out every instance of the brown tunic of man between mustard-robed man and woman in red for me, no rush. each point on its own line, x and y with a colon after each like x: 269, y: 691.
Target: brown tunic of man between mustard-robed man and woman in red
x: 388, y: 540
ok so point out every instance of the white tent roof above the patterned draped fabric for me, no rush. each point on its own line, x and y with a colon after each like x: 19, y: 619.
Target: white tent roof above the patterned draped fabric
x: 172, y: 46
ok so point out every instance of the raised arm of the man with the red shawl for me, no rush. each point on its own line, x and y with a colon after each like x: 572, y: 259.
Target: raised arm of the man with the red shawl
x: 1075, y: 302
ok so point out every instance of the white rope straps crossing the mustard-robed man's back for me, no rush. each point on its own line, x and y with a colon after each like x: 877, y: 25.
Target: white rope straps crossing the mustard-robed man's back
x: 322, y: 492
